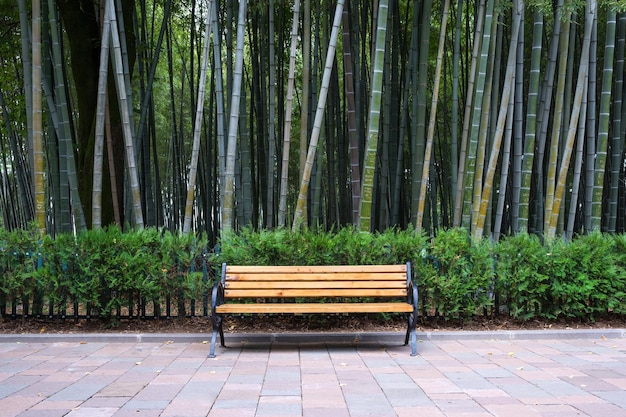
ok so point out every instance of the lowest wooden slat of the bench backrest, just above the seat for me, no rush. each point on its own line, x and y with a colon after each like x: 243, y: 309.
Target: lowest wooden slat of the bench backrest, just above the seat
x: 270, y: 293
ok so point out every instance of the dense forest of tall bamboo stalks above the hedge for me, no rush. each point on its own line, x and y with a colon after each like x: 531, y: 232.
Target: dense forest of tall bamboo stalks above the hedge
x: 206, y: 116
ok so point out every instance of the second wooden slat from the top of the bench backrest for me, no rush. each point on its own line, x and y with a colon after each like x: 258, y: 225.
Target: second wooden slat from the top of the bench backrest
x: 316, y: 276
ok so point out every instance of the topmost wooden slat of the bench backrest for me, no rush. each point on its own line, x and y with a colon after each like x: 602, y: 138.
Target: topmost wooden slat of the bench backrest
x: 315, y: 268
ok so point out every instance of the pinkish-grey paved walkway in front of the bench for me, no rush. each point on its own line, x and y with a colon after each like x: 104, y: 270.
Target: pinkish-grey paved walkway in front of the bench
x: 549, y: 373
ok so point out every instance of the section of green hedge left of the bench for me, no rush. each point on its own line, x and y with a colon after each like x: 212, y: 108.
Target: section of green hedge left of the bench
x: 102, y: 270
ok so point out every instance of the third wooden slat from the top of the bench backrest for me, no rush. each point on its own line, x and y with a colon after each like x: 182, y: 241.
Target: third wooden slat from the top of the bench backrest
x: 243, y: 285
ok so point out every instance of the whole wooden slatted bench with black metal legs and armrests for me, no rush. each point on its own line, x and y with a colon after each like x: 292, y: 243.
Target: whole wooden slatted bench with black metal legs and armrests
x: 314, y: 289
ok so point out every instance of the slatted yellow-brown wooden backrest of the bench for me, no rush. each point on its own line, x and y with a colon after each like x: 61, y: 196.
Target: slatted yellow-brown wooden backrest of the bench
x: 315, y: 281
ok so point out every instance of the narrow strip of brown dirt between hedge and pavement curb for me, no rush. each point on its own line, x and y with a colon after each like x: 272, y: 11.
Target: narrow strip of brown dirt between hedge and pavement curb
x: 289, y: 323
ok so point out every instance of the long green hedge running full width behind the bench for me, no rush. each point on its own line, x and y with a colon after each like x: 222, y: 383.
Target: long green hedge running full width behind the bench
x: 107, y: 270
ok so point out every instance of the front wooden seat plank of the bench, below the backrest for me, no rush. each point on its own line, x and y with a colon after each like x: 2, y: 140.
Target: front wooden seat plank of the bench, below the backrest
x: 315, y: 308
